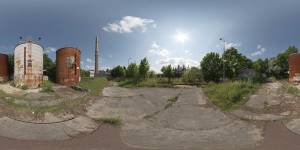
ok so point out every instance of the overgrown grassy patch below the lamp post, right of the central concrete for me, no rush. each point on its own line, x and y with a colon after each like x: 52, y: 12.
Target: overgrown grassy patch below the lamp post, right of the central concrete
x: 231, y: 94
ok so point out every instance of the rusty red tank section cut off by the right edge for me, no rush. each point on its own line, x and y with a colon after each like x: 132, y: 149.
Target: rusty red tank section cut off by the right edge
x: 294, y: 68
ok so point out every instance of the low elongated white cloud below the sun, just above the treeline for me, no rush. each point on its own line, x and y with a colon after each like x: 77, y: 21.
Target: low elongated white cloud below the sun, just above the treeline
x: 178, y: 61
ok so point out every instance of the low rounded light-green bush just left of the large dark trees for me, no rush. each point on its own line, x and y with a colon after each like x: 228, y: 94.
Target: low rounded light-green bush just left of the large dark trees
x: 192, y: 76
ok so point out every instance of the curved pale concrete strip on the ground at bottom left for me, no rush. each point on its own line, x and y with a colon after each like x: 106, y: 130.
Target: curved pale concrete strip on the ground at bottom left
x: 46, y: 132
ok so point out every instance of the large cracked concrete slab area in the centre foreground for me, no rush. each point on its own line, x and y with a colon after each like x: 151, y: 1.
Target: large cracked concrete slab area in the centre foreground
x: 189, y: 122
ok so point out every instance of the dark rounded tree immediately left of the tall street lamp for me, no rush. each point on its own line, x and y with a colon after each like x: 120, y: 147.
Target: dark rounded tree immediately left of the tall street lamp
x: 211, y: 66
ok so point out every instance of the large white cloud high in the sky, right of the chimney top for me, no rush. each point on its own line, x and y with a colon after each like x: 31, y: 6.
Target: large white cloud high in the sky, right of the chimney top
x: 128, y: 24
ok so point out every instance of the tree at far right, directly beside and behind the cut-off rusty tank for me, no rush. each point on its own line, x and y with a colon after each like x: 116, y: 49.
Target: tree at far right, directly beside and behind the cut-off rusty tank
x: 279, y: 65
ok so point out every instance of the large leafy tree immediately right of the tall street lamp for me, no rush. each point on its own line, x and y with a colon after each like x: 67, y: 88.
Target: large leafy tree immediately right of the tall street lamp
x: 234, y: 62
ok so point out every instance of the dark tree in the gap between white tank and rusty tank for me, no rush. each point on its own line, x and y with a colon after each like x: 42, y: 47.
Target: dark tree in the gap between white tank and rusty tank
x: 49, y: 67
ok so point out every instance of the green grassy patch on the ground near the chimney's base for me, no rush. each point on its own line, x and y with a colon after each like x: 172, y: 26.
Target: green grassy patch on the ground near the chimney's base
x: 93, y: 85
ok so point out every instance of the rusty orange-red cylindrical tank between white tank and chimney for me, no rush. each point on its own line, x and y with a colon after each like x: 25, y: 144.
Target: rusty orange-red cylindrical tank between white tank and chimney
x: 67, y: 65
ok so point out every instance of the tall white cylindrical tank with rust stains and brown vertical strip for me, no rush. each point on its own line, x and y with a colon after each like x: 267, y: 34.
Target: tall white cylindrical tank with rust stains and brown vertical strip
x: 28, y: 65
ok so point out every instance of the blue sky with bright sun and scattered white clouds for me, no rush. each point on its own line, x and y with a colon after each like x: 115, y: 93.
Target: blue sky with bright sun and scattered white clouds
x: 165, y: 31
